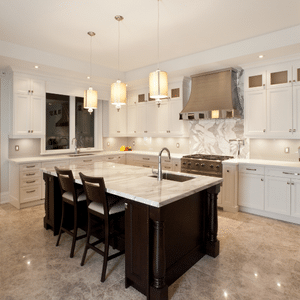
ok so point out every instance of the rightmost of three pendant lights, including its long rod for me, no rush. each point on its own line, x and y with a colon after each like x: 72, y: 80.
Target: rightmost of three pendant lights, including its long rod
x: 158, y: 80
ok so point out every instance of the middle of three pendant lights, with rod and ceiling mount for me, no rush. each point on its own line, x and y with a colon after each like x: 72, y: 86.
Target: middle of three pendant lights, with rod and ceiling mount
x: 118, y: 89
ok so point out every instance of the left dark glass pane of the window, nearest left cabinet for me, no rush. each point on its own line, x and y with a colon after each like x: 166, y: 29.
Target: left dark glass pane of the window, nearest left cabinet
x: 57, y: 122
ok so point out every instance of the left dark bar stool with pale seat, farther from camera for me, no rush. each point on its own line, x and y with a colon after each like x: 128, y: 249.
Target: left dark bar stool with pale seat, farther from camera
x: 72, y: 197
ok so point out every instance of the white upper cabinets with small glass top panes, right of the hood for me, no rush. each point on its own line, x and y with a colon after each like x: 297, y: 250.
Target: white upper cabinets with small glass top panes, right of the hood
x: 272, y: 101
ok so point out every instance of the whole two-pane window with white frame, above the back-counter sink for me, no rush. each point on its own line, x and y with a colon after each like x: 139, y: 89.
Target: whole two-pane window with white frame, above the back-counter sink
x: 66, y: 119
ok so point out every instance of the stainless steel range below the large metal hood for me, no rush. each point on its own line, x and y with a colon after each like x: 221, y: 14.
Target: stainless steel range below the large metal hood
x: 203, y: 164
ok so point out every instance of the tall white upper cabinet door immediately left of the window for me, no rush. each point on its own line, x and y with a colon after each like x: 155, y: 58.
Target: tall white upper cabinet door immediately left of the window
x: 37, y: 115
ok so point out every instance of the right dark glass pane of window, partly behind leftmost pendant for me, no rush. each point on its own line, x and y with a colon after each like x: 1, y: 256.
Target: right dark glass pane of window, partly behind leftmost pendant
x: 84, y: 125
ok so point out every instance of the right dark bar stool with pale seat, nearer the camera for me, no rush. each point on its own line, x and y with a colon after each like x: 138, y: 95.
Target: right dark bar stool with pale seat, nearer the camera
x: 110, y: 210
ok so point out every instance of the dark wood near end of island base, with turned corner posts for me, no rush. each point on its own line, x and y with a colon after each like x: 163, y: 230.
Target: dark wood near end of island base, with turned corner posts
x: 161, y: 244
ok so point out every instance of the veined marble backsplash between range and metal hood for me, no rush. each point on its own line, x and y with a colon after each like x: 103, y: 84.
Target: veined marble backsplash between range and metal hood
x: 212, y: 137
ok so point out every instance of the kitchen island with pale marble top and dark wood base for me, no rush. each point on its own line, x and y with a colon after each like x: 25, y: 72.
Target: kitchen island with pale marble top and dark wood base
x: 169, y: 225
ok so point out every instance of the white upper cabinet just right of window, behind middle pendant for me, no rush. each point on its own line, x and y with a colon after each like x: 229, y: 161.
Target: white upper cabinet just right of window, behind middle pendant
x: 114, y: 121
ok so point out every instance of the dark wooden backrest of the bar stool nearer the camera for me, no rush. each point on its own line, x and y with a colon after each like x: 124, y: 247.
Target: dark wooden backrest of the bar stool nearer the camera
x: 94, y: 188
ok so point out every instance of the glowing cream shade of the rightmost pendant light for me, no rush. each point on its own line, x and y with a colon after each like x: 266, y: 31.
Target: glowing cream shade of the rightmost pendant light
x: 158, y: 84
